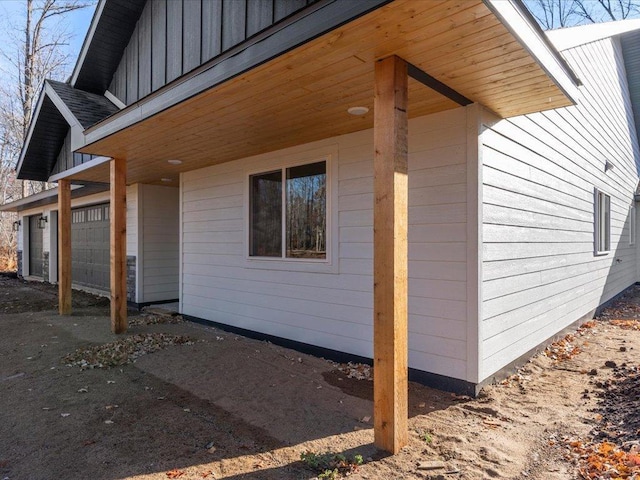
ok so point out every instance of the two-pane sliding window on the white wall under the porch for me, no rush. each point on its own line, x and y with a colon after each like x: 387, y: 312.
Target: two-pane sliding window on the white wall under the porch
x: 288, y: 212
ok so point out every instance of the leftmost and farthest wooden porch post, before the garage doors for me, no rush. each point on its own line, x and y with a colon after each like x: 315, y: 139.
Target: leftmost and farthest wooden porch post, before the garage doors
x: 64, y: 247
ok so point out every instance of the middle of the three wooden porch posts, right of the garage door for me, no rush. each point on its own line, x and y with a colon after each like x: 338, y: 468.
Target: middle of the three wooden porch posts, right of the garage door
x: 118, y: 245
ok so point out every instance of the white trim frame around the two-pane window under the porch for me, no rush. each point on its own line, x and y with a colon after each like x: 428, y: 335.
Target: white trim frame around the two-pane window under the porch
x: 264, y: 164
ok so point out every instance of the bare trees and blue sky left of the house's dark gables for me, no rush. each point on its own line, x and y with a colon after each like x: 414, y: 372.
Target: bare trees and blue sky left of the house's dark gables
x: 35, y: 49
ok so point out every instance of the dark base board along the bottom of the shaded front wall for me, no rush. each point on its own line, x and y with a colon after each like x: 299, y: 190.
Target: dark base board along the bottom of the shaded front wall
x: 440, y: 382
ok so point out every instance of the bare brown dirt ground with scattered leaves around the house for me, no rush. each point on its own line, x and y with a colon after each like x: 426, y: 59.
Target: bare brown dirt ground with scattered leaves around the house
x: 215, y: 405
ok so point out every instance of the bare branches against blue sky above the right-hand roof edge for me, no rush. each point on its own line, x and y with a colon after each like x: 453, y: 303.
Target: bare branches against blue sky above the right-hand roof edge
x: 553, y: 14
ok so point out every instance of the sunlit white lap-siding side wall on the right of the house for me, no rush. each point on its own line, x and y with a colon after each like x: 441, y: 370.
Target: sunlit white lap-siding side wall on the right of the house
x: 540, y: 272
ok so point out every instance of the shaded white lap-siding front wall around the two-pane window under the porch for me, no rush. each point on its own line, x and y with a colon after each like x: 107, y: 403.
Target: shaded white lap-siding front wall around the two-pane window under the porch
x: 332, y: 306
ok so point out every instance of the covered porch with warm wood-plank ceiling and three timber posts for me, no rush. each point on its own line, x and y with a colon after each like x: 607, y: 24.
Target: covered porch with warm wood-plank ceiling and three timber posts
x: 403, y: 60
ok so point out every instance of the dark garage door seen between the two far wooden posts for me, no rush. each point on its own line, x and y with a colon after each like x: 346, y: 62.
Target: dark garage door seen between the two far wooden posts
x: 90, y: 246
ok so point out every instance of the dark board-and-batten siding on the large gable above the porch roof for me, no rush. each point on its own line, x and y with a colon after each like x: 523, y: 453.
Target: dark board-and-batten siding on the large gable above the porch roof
x: 173, y: 37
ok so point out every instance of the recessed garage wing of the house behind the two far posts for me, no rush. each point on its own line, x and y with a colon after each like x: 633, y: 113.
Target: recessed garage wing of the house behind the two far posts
x: 152, y: 235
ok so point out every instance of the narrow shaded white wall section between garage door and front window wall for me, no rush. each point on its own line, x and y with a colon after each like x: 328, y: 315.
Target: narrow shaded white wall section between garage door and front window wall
x: 158, y: 247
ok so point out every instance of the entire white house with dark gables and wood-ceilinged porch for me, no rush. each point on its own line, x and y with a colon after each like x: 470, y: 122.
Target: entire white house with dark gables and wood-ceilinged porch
x: 479, y: 202
